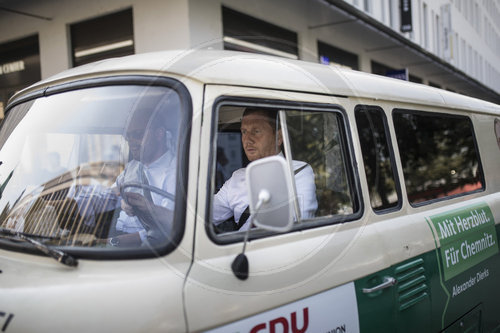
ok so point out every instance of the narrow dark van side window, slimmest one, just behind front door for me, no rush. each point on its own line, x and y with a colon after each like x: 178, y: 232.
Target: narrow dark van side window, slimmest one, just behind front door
x: 375, y: 143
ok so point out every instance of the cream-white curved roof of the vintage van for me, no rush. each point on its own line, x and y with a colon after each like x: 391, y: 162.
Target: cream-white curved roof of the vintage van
x: 255, y: 70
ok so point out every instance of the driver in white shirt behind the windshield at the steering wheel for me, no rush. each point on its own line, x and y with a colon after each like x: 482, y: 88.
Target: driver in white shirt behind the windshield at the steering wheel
x: 154, y: 165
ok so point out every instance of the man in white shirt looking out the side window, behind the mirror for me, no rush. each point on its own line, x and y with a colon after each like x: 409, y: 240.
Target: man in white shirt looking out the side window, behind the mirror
x: 260, y: 138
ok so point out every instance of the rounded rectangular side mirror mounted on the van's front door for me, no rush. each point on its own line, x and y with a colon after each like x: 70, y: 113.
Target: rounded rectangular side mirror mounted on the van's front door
x: 269, y: 185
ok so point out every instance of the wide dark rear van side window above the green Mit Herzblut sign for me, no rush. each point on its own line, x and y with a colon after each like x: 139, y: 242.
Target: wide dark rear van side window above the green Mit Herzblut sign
x: 438, y: 155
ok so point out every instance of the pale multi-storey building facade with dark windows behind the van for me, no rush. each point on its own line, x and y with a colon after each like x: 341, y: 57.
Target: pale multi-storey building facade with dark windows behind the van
x: 450, y: 44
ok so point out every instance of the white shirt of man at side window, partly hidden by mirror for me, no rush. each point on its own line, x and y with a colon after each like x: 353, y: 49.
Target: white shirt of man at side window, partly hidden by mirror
x: 232, y: 198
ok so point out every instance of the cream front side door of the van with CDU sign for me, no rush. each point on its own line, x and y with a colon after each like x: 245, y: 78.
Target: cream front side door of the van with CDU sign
x: 303, y: 280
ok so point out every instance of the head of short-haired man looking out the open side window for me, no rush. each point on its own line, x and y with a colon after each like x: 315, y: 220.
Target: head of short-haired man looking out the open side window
x: 258, y: 137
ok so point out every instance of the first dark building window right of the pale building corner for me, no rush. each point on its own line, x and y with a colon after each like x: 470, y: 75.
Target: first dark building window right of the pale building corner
x: 246, y: 33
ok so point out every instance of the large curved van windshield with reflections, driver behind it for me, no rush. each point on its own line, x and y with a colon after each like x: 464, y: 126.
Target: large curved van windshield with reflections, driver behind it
x: 93, y: 168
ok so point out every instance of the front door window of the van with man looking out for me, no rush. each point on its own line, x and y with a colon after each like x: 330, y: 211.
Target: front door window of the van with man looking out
x: 320, y: 159
